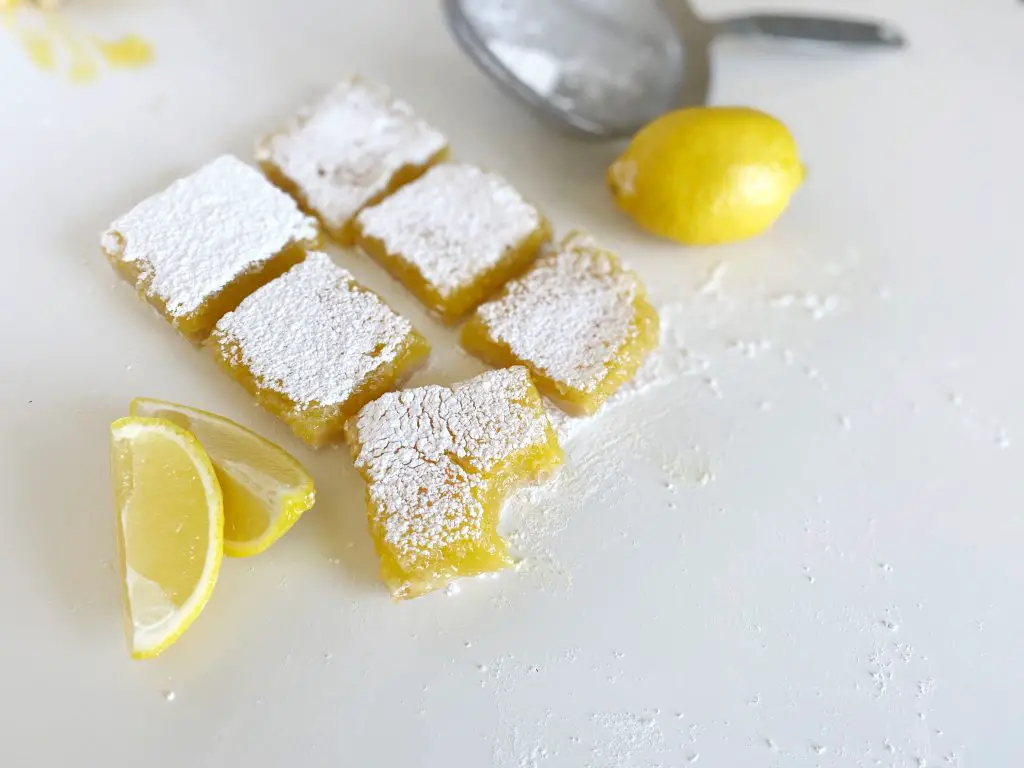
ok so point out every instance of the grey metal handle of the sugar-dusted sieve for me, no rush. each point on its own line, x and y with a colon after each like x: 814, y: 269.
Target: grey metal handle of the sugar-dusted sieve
x: 842, y: 32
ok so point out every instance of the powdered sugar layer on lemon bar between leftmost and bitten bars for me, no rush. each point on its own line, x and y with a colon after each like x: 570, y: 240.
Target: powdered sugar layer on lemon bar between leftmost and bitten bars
x: 314, y: 335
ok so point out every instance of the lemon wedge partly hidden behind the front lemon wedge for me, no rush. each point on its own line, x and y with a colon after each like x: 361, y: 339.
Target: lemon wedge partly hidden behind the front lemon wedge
x: 266, y: 489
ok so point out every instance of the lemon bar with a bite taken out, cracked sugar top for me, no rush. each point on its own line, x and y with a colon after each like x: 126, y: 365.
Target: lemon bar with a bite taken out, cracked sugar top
x: 439, y: 462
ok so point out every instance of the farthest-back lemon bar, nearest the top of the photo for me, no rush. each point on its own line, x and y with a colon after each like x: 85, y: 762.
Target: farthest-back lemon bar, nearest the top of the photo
x: 354, y: 148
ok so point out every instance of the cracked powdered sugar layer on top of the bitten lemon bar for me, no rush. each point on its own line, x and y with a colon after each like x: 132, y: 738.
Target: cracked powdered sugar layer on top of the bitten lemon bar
x: 424, y: 451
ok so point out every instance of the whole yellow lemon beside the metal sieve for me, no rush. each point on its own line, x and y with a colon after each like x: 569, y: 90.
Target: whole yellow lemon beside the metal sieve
x: 708, y: 176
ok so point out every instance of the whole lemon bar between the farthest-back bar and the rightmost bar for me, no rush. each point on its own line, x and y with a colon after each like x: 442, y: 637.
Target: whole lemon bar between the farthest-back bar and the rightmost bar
x: 454, y: 237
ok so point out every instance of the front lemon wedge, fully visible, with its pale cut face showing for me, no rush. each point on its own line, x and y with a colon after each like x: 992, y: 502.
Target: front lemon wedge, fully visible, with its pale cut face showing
x: 170, y: 524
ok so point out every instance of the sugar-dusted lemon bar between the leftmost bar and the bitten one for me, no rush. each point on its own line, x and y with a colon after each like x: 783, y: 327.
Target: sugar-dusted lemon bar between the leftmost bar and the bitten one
x: 314, y: 347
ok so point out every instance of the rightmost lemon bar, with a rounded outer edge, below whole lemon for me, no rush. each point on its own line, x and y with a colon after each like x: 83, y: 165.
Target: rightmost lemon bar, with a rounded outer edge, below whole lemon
x: 579, y: 321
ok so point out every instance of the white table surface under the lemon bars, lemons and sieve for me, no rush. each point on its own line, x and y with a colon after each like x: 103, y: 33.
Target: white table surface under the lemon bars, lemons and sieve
x: 804, y: 551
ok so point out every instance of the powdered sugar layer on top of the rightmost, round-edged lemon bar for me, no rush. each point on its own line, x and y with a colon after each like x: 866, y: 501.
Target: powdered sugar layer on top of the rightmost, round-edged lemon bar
x: 570, y: 316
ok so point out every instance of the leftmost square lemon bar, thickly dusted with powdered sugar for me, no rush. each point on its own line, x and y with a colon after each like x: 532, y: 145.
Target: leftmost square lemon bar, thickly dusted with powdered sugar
x: 196, y: 250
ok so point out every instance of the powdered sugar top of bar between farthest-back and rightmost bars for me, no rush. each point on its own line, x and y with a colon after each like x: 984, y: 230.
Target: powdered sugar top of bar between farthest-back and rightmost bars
x: 453, y: 226
